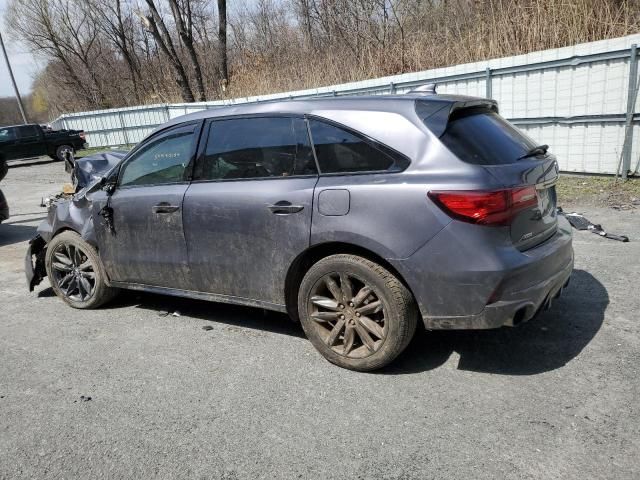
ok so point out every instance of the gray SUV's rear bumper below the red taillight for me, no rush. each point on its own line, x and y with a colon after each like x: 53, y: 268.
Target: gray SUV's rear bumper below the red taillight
x: 471, y: 277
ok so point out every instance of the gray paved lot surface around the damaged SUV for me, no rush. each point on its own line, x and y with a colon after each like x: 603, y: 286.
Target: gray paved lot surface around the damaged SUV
x: 129, y: 391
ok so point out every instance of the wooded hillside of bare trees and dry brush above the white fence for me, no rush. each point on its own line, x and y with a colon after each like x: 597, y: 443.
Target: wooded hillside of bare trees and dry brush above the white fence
x: 99, y: 55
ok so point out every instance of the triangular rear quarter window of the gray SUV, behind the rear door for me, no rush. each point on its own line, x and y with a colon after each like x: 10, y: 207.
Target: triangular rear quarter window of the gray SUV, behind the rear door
x: 342, y: 151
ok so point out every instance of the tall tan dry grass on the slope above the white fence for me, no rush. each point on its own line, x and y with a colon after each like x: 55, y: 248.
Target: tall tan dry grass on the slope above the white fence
x: 444, y: 35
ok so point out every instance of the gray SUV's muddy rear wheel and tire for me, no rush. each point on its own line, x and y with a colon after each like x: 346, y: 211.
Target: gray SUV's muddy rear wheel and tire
x: 343, y: 299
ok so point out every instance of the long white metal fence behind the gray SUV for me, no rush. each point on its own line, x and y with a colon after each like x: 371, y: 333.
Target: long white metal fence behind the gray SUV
x: 581, y: 100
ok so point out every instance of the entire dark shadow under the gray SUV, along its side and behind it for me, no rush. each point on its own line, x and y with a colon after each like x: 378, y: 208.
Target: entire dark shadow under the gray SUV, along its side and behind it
x: 545, y: 343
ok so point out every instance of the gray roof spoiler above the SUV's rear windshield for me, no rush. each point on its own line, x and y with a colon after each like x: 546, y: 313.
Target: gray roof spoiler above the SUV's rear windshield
x: 435, y: 112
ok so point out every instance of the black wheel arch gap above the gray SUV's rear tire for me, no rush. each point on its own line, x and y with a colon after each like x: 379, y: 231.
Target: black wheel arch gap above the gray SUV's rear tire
x: 313, y: 254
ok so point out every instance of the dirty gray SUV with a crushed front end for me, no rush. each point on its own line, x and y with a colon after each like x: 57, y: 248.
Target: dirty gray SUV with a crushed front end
x: 356, y: 216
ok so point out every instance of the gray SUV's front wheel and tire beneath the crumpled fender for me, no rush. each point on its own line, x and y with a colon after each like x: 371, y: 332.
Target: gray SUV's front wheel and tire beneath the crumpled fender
x: 76, y: 273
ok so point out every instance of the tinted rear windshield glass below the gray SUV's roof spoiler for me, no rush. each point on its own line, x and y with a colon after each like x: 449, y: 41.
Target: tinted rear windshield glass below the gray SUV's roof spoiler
x: 482, y: 137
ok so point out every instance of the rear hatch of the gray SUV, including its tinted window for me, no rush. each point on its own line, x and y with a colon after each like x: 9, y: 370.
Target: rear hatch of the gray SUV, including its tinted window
x: 481, y: 137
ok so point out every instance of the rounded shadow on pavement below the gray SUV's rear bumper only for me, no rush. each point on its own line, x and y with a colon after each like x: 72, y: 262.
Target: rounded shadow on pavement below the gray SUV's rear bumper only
x: 547, y: 342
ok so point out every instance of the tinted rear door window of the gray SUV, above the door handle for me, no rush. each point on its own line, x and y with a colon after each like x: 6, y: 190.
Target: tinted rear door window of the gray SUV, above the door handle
x: 260, y: 147
